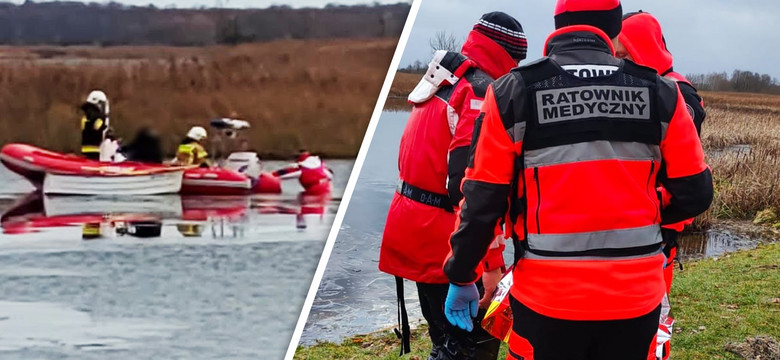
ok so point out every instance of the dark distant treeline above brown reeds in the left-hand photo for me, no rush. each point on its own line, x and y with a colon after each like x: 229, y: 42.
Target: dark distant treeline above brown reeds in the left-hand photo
x: 76, y: 23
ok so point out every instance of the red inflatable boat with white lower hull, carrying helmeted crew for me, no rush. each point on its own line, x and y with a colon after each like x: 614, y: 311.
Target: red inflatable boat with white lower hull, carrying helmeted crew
x: 56, y: 173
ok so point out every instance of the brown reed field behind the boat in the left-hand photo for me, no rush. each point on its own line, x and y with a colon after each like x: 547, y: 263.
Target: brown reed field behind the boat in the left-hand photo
x: 317, y: 94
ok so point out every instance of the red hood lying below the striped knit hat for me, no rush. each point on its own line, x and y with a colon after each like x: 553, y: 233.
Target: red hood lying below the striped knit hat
x: 489, y: 56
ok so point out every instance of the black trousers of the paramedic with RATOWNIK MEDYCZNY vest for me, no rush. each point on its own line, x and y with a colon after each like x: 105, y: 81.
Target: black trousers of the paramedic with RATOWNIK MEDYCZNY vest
x: 557, y: 339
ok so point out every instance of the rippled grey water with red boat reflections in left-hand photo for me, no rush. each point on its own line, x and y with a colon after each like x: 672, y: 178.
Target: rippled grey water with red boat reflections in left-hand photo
x: 224, y: 279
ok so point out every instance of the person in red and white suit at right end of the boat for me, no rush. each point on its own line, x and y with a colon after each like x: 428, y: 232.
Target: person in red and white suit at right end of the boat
x: 314, y: 176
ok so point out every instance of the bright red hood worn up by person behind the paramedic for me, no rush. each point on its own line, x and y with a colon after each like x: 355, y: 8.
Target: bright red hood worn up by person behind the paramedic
x: 644, y: 40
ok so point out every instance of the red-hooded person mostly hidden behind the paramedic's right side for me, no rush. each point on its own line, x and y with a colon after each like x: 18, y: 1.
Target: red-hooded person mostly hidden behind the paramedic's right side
x: 641, y: 40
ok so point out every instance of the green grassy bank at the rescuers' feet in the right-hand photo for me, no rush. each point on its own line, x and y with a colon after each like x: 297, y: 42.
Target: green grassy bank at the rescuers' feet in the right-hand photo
x: 716, y: 302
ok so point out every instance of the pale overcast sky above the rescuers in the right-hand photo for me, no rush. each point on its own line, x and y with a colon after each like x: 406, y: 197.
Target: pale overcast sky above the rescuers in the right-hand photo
x: 703, y: 35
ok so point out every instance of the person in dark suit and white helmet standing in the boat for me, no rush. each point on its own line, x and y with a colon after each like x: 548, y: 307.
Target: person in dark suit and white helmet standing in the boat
x: 94, y: 124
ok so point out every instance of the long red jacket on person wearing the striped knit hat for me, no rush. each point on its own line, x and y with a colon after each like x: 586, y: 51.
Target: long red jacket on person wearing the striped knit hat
x: 432, y: 158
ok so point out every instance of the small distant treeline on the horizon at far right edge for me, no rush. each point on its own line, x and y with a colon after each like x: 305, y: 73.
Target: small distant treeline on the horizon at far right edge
x: 739, y: 81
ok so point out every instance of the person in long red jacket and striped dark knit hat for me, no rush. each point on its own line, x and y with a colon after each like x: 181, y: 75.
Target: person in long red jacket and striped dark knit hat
x: 433, y: 154
